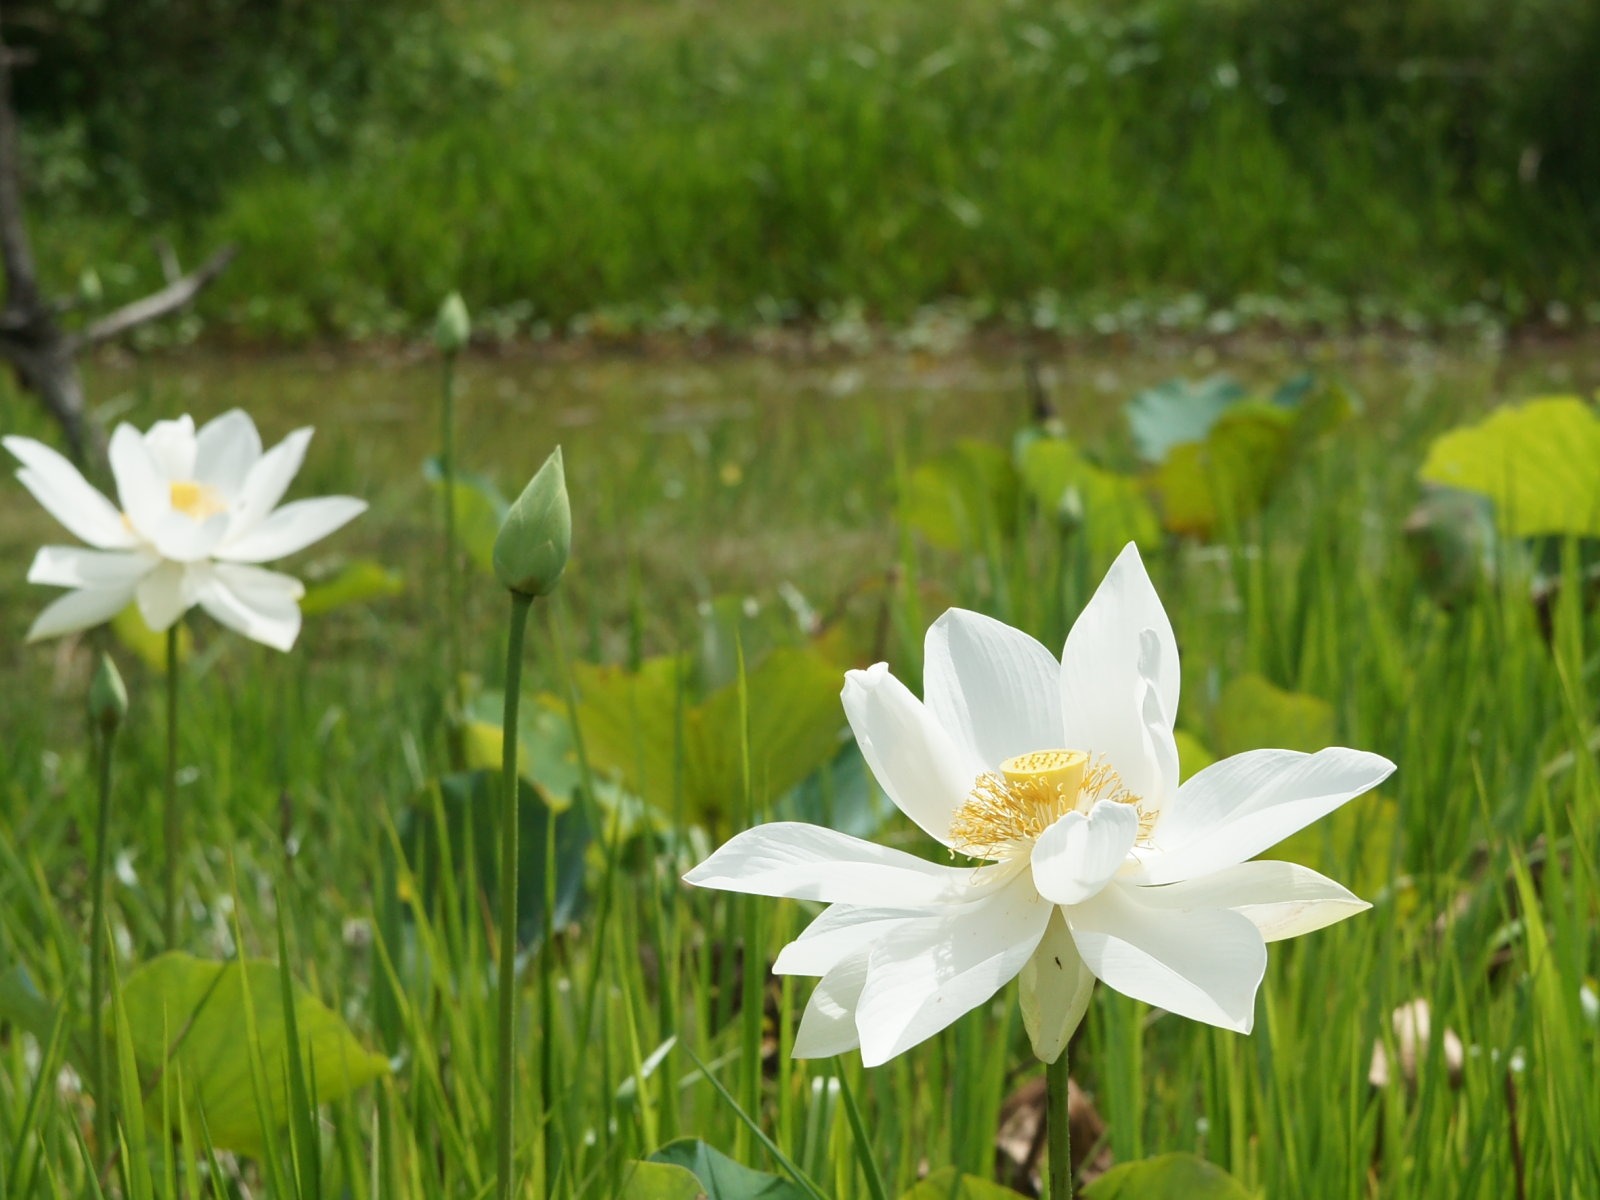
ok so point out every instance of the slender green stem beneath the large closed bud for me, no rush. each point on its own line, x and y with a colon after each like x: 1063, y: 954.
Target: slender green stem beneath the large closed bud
x: 508, y: 894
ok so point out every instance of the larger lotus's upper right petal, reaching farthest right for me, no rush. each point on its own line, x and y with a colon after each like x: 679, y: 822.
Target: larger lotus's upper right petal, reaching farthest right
x: 1239, y: 807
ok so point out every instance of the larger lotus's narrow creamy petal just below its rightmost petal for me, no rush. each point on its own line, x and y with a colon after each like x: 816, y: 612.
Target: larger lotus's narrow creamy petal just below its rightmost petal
x: 1284, y: 900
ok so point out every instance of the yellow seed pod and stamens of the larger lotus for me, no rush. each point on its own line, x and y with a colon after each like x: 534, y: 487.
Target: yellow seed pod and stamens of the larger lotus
x: 1007, y: 810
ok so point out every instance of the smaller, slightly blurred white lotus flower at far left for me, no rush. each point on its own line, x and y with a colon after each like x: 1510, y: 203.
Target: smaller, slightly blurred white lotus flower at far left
x: 199, y: 511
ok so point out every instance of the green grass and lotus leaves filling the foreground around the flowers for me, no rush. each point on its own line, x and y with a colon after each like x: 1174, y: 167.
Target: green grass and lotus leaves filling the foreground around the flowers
x: 327, y: 788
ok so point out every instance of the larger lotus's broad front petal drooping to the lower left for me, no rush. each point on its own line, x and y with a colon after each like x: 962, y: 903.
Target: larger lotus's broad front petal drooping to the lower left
x: 938, y: 969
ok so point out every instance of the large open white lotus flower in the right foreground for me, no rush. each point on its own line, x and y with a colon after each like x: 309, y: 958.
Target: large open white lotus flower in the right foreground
x: 1063, y: 778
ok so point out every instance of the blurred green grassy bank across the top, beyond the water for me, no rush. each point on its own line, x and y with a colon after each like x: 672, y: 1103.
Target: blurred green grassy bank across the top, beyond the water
x: 634, y: 167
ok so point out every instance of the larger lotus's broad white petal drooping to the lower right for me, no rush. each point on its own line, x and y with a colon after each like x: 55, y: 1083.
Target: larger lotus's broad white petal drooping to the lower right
x: 1204, y: 964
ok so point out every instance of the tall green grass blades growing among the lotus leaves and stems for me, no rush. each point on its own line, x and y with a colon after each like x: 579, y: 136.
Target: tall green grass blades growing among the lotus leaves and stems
x: 1479, y: 855
